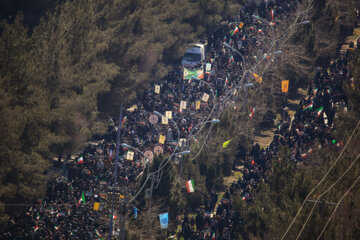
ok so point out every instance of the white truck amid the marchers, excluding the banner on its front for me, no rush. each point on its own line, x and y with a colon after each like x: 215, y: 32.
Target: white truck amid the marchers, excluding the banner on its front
x: 194, y: 56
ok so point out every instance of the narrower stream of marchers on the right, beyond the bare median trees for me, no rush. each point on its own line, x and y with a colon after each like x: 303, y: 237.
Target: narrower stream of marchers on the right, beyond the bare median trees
x: 313, y: 122
